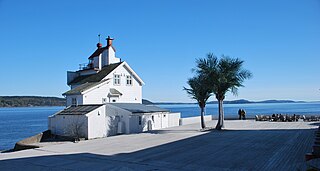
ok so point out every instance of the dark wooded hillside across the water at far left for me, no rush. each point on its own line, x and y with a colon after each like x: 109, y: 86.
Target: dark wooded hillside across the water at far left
x: 25, y: 101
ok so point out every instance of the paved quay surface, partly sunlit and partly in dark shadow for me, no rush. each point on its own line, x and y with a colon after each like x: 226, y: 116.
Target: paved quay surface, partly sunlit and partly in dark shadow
x: 244, y: 145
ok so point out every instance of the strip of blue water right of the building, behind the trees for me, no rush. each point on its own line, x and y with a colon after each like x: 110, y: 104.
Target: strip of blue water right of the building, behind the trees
x: 231, y: 110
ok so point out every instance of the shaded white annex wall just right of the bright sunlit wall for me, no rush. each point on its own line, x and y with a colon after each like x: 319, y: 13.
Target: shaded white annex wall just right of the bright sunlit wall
x: 115, y: 115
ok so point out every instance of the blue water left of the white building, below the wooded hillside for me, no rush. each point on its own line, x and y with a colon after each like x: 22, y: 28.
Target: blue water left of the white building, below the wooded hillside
x: 19, y: 123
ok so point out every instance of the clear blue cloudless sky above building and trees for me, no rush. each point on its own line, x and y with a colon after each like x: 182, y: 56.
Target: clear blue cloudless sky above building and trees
x: 279, y: 40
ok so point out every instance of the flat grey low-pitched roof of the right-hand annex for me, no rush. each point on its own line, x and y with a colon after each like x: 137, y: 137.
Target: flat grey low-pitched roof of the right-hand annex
x: 139, y: 108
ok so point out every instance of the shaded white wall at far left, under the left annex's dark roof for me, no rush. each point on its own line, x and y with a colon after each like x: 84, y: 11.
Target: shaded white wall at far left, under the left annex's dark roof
x: 65, y: 125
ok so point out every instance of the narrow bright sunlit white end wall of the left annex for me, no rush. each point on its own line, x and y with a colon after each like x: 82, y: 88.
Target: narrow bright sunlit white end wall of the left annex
x: 96, y: 123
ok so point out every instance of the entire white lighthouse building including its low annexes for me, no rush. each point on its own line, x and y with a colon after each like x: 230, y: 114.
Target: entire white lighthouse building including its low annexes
x: 106, y: 99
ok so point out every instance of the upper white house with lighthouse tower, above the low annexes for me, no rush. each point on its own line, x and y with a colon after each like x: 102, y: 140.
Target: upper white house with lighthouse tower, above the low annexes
x: 106, y: 79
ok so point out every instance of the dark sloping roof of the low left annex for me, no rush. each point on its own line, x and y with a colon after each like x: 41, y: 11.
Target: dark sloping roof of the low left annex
x: 78, y: 110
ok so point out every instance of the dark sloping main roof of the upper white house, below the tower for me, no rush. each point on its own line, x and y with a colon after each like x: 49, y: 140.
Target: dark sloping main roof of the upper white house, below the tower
x: 95, y: 77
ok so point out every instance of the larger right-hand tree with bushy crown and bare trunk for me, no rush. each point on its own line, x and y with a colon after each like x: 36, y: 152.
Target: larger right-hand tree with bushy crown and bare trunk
x: 224, y: 75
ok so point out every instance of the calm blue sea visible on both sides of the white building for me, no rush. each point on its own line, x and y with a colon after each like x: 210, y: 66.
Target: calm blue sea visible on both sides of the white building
x: 19, y: 123
